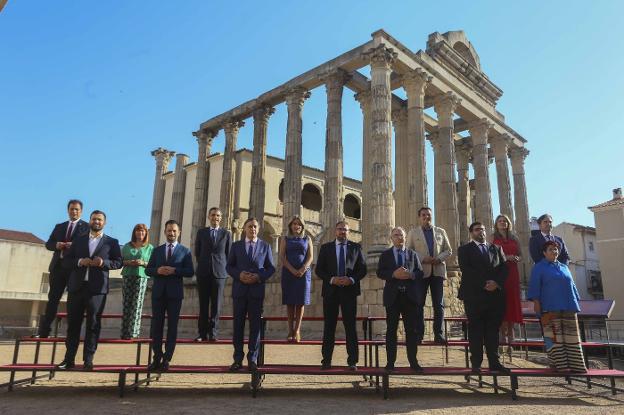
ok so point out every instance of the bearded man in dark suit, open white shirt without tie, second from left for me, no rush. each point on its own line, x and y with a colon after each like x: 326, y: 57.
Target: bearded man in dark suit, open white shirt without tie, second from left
x: 89, y: 258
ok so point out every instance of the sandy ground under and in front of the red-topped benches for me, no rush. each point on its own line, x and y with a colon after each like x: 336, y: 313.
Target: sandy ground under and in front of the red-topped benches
x: 215, y: 394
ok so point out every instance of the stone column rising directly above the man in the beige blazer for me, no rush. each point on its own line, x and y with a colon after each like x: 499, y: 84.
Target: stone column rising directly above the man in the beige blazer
x: 415, y: 84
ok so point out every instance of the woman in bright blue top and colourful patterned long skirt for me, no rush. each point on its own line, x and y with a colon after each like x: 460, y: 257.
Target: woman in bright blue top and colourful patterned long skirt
x: 555, y: 298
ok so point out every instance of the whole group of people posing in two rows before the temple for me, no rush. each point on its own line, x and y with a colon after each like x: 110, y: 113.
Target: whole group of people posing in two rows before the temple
x: 414, y: 265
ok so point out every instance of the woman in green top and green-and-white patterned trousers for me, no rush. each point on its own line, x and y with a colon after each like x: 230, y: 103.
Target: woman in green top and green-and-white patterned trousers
x: 136, y: 255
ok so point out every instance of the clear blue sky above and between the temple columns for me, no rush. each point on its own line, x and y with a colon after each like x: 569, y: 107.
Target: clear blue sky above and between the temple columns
x: 90, y: 88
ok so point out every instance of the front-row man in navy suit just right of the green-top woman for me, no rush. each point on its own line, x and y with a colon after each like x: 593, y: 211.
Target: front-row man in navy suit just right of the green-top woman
x: 167, y: 266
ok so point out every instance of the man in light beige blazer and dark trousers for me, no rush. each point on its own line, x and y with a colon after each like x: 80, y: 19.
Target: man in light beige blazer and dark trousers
x: 433, y: 248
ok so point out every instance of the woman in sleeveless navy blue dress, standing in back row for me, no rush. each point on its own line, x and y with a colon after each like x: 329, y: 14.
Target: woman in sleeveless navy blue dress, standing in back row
x: 296, y: 253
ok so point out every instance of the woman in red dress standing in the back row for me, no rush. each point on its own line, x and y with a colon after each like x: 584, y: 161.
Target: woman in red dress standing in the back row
x: 504, y: 238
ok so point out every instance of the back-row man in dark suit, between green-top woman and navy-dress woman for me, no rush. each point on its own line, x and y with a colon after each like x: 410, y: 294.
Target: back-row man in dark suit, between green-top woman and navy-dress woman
x: 212, y: 247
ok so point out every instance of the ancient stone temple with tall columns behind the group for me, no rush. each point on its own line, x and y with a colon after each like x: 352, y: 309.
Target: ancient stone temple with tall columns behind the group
x: 467, y: 133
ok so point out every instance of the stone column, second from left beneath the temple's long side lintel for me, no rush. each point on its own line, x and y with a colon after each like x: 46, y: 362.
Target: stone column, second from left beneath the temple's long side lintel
x: 227, y: 179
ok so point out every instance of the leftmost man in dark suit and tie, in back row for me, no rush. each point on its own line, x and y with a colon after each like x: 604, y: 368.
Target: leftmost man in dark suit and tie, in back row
x: 60, y: 241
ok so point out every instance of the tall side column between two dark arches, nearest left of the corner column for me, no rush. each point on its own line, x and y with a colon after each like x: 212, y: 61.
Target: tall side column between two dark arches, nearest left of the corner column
x: 333, y: 198
